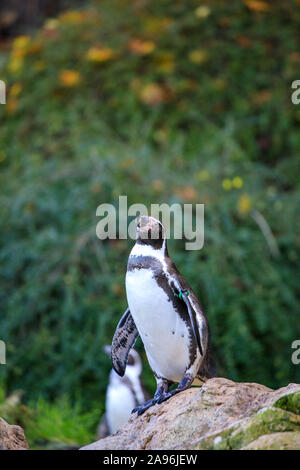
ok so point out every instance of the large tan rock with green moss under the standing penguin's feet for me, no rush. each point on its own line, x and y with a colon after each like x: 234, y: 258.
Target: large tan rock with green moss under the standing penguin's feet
x: 220, y: 415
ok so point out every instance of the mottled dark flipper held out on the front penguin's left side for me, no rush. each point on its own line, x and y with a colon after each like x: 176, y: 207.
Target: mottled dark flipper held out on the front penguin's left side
x: 124, y: 338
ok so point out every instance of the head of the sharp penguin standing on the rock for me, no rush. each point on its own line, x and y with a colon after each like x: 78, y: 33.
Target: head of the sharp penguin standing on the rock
x: 150, y: 231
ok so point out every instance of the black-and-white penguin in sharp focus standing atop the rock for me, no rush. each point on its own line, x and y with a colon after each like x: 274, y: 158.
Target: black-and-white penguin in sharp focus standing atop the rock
x: 165, y: 312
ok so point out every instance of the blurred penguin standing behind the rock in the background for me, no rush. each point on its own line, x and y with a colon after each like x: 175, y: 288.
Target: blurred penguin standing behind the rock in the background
x: 123, y: 393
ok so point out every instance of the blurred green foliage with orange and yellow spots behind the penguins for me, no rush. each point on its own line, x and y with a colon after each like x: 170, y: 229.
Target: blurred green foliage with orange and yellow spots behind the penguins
x: 162, y: 101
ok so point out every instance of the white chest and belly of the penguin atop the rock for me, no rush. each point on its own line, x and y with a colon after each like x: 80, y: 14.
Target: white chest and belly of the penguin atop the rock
x: 163, y: 332
